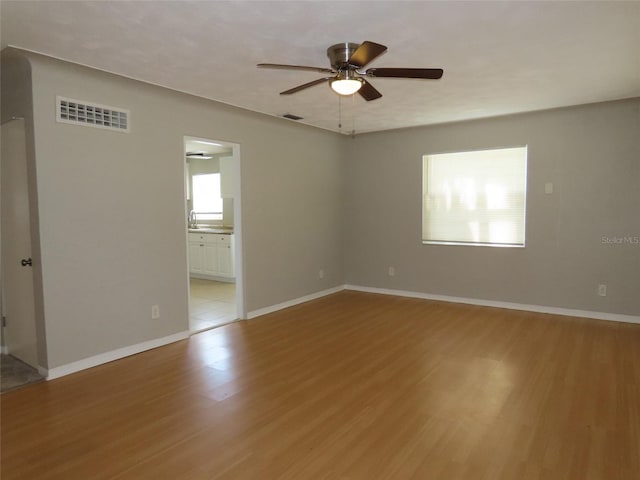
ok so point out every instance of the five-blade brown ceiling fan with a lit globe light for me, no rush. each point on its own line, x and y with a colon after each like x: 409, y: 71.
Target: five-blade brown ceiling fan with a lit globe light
x: 347, y: 78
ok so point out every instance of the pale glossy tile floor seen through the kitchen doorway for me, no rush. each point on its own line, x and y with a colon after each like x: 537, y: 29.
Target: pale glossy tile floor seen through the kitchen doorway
x: 211, y: 304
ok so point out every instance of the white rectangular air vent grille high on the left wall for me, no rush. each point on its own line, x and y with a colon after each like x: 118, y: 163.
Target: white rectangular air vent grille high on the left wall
x: 79, y: 112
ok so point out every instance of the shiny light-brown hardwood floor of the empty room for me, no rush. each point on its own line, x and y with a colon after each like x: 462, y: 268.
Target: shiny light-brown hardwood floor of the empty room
x: 351, y: 386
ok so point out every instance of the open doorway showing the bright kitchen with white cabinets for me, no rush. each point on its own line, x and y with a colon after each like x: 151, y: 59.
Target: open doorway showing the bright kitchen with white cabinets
x: 214, y: 233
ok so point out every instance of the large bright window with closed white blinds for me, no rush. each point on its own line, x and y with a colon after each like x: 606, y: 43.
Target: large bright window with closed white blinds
x: 475, y: 198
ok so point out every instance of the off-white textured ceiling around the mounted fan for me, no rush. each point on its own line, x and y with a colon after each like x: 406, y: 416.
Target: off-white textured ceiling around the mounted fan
x: 498, y: 57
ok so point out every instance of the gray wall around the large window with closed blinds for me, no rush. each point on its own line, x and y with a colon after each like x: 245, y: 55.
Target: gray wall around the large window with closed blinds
x: 591, y: 154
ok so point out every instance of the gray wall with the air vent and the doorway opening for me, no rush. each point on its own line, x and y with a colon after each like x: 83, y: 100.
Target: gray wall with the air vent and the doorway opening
x: 112, y: 211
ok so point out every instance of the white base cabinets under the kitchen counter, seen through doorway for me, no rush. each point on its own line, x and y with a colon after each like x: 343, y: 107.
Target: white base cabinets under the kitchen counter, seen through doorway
x: 211, y: 255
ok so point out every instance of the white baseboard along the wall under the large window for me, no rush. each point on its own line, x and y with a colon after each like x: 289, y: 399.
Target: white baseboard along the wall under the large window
x: 613, y: 317
